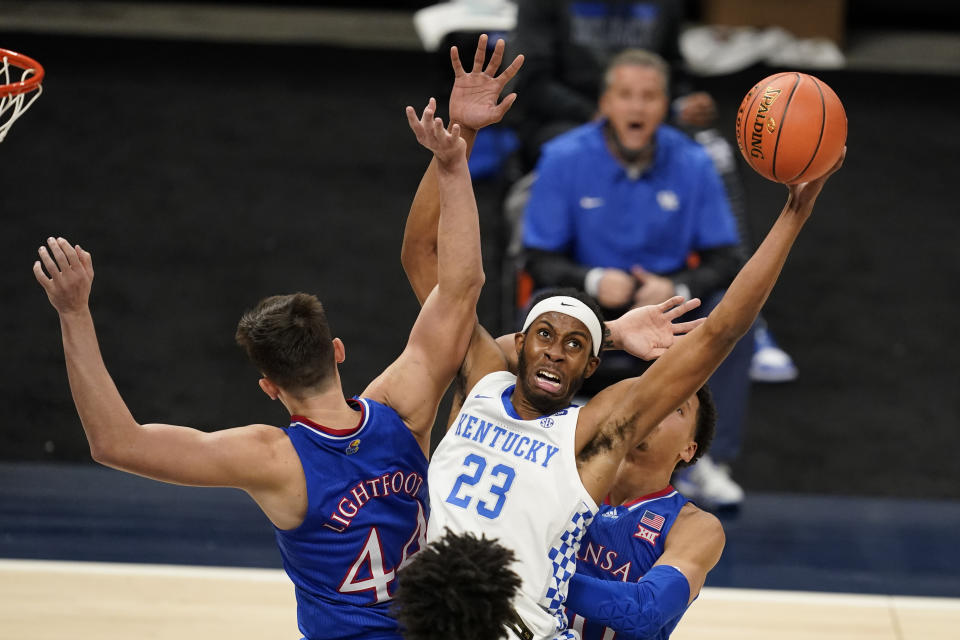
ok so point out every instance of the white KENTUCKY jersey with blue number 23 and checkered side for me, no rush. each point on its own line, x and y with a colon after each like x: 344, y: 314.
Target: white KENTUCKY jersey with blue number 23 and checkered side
x: 516, y: 481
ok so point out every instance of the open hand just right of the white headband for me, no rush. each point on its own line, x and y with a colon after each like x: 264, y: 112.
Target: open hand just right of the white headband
x: 647, y: 332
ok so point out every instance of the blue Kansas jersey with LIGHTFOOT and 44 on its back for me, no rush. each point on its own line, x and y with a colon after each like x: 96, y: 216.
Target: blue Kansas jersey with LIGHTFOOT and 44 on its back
x: 367, y: 516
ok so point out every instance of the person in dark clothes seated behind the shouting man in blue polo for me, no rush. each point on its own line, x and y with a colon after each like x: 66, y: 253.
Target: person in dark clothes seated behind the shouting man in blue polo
x: 568, y: 44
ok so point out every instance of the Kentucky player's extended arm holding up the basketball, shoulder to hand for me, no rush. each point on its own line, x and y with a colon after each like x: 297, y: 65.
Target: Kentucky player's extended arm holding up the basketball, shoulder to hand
x: 627, y: 411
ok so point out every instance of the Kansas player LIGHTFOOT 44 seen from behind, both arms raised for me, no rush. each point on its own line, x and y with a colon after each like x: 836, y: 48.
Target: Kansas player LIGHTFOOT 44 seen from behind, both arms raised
x: 344, y: 483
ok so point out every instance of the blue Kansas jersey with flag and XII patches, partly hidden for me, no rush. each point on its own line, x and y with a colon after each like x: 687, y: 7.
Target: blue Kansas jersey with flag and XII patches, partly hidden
x: 622, y: 543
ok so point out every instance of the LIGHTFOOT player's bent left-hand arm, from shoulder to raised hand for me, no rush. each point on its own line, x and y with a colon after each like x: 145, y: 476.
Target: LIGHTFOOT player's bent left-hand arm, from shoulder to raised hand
x: 244, y: 457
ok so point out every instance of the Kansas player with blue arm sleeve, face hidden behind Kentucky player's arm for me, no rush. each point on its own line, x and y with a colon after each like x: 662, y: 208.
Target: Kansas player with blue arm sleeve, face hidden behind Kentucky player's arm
x: 646, y: 555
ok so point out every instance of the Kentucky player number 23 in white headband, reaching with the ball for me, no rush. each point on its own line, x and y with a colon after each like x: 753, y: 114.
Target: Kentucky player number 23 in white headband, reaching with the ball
x: 511, y: 427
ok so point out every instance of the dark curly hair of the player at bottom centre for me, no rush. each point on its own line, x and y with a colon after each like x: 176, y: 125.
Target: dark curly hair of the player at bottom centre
x: 459, y: 587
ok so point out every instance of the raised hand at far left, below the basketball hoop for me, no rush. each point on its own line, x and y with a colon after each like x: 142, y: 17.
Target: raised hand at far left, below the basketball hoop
x: 71, y: 274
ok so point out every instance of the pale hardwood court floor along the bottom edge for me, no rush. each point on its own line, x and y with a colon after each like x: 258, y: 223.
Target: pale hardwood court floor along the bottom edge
x: 51, y: 600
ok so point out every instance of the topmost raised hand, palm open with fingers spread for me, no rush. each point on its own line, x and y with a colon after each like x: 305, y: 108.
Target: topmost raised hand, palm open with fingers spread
x: 473, y: 99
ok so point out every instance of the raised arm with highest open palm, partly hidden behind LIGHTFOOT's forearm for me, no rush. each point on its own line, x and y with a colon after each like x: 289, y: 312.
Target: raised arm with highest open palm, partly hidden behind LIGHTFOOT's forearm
x: 474, y: 103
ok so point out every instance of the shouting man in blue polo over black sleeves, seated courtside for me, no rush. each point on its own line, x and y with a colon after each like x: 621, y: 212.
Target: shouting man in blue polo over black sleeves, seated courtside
x: 633, y: 211
